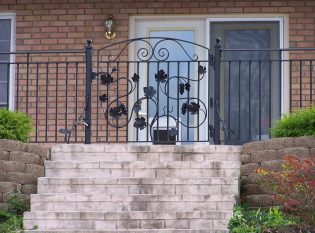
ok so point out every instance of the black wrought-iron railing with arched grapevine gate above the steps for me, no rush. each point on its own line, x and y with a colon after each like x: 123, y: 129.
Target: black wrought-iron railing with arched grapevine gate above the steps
x: 153, y: 94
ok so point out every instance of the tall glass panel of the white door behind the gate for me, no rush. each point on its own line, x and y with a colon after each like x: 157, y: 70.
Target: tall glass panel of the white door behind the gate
x: 175, y: 65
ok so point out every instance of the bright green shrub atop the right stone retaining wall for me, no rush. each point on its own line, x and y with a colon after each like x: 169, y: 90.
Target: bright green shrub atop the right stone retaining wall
x: 299, y: 123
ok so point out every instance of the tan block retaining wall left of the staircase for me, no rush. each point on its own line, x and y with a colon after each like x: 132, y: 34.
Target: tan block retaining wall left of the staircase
x: 20, y: 166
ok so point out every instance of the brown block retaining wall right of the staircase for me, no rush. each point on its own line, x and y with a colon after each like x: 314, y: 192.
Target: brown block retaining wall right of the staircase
x: 268, y: 154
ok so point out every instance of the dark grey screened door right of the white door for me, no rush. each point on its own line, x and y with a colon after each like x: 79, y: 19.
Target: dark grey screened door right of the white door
x: 251, y: 80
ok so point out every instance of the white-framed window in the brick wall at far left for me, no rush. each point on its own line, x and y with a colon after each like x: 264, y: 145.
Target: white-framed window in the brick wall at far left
x: 7, y: 44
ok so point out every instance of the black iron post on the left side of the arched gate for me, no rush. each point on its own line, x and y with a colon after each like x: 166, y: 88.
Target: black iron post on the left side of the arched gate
x: 88, y: 91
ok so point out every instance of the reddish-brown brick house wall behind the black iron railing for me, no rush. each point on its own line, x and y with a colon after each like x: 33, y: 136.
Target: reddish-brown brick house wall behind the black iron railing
x: 55, y: 24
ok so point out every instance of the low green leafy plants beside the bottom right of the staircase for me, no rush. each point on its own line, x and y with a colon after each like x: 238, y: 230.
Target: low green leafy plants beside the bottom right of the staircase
x: 247, y: 220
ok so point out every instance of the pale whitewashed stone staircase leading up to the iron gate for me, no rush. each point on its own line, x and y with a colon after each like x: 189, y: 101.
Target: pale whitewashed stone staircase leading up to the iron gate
x: 129, y: 188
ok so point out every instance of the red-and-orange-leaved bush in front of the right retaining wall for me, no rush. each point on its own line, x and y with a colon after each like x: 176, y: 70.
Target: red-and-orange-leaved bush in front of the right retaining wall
x: 294, y: 186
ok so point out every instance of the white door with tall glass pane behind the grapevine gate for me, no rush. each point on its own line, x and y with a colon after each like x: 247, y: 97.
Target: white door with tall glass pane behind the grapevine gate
x: 175, y: 59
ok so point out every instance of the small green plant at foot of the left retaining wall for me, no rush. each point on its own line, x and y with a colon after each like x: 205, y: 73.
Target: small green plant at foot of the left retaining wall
x: 11, y: 220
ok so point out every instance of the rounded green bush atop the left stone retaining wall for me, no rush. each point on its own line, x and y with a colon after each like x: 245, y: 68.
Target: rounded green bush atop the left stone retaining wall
x: 15, y: 126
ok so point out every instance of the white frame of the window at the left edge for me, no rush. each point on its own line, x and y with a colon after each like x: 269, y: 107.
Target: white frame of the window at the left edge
x: 11, y: 16
